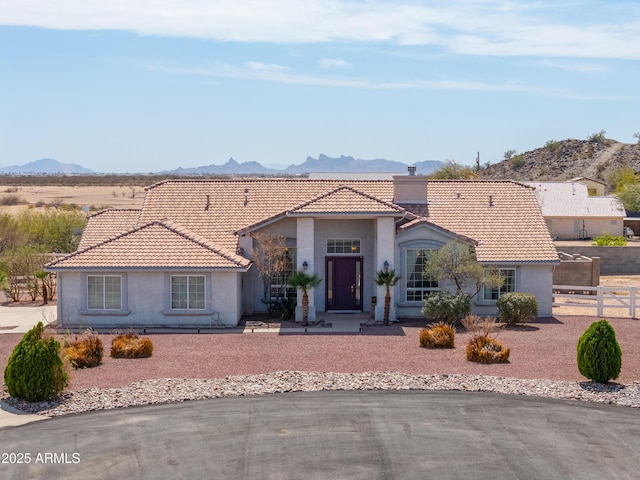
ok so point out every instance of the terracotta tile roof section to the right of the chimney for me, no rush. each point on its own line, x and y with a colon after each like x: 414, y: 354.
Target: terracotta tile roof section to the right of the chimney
x: 503, y: 216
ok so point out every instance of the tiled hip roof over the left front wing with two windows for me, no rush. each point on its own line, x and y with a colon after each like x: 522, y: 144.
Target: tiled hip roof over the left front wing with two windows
x: 158, y: 244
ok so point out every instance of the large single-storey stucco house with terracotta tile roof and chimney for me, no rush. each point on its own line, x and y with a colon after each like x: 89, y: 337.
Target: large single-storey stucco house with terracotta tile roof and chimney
x: 184, y: 258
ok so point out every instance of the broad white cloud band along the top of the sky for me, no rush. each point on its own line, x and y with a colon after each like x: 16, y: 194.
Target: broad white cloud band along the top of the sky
x: 467, y: 27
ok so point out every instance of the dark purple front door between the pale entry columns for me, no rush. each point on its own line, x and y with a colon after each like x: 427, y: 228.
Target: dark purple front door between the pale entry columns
x: 344, y: 283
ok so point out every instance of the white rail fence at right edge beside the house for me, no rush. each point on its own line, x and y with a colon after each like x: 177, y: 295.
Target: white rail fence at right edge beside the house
x: 600, y: 298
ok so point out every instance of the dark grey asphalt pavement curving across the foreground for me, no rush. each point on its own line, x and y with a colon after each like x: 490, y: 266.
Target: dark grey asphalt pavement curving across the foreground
x: 339, y: 435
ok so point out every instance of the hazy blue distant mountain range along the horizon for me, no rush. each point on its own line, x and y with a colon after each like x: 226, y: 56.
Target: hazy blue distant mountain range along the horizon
x: 342, y: 164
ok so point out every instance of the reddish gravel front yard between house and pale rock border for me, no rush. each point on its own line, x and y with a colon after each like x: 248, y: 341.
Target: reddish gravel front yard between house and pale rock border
x: 544, y: 349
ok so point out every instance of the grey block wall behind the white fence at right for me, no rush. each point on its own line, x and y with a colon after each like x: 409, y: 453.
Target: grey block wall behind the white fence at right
x: 613, y: 260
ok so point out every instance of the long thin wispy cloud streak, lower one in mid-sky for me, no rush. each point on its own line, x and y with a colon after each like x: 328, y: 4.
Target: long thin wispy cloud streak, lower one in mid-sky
x: 284, y: 75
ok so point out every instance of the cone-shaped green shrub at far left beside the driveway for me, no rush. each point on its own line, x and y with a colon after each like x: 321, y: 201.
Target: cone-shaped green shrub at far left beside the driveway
x: 35, y: 370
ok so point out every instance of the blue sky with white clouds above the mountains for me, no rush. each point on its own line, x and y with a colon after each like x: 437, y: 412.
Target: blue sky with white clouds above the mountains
x: 155, y: 84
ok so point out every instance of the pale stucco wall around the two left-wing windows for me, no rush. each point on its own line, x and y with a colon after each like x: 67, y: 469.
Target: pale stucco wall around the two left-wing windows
x: 146, y: 301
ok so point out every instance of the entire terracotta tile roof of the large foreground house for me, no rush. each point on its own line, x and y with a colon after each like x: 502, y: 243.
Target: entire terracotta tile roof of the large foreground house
x: 503, y: 217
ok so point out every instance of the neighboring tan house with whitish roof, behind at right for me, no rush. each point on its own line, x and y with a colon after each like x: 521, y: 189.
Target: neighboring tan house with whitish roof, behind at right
x: 570, y: 213
